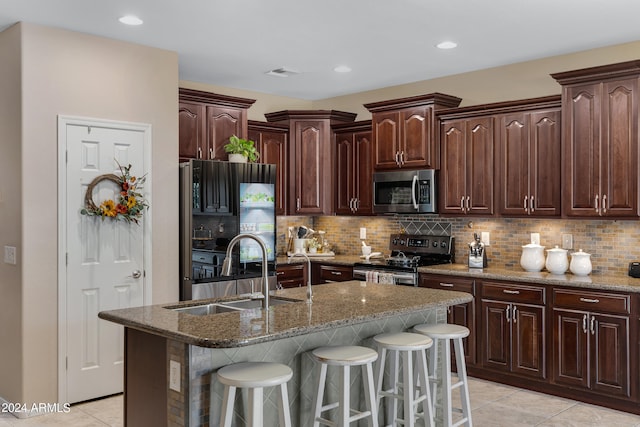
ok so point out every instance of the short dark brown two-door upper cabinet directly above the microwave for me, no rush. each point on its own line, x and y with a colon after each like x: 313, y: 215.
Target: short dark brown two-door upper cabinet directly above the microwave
x: 404, y: 131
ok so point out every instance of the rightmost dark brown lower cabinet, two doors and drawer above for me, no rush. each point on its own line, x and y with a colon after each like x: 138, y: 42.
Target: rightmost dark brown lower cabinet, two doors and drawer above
x: 592, y: 349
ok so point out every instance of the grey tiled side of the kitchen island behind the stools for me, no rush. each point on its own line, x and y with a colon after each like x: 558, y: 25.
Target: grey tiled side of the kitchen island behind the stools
x: 206, y: 393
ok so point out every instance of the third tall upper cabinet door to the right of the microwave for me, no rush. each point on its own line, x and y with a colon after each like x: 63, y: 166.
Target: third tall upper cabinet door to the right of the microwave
x: 513, y: 140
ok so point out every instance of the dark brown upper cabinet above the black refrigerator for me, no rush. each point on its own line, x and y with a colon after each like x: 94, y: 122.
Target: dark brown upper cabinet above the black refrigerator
x: 207, y: 120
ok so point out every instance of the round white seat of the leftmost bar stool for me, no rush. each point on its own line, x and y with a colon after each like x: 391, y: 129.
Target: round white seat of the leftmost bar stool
x: 254, y: 374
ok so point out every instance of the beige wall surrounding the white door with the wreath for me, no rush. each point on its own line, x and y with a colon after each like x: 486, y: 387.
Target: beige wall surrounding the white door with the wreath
x: 80, y: 75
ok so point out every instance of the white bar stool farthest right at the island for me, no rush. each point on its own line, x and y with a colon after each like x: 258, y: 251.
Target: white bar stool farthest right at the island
x: 443, y: 333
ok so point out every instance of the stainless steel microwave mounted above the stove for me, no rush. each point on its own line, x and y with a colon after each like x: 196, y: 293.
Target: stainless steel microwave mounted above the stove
x: 405, y: 191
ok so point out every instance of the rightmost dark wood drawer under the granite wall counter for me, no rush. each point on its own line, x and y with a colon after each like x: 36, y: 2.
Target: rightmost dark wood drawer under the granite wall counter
x: 592, y: 301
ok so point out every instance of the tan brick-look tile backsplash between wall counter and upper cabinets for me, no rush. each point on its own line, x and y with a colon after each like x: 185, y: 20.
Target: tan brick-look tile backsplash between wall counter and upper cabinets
x: 612, y: 244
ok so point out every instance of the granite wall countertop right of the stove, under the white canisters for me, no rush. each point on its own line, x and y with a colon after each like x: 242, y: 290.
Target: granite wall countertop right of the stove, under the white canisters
x: 593, y: 281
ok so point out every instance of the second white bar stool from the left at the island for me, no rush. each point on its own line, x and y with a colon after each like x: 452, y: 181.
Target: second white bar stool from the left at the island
x: 345, y: 357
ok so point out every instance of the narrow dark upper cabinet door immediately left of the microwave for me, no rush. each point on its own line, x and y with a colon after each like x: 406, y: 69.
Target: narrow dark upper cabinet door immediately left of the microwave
x: 363, y: 146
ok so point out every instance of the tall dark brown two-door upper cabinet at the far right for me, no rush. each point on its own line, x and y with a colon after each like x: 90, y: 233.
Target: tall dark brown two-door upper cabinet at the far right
x: 600, y: 140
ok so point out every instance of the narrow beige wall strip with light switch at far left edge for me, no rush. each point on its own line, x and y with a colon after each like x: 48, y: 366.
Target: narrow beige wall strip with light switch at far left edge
x: 11, y: 364
